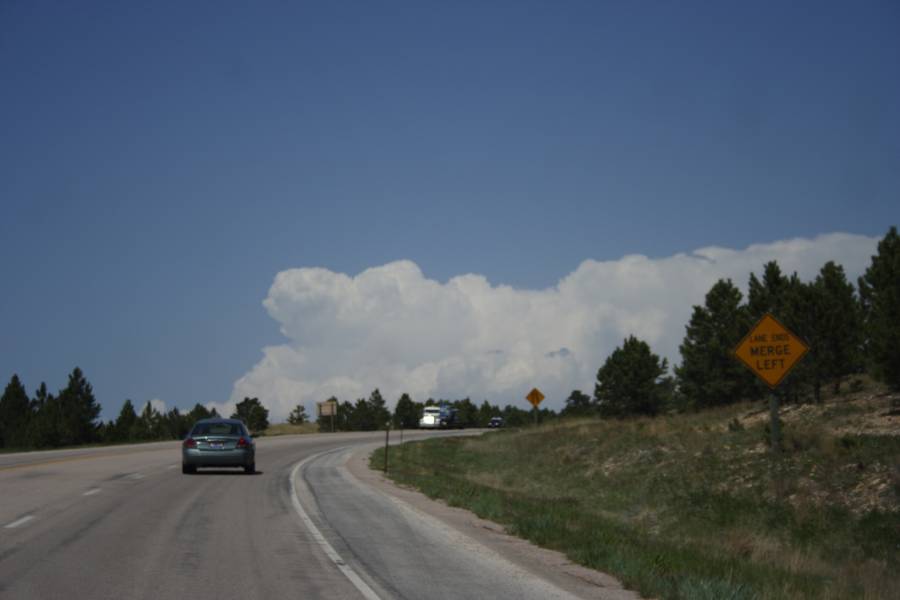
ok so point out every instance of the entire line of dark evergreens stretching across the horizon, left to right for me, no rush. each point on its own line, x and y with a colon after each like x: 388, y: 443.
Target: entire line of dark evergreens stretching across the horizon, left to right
x: 849, y: 329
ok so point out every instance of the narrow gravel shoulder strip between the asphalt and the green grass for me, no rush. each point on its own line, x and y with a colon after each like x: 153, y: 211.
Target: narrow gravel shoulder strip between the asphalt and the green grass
x: 549, y: 565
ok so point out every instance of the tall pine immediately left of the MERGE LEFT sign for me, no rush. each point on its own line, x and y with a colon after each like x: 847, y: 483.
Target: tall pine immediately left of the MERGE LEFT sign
x: 709, y: 375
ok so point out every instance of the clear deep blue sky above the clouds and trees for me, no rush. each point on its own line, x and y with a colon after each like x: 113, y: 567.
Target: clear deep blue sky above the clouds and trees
x: 160, y: 165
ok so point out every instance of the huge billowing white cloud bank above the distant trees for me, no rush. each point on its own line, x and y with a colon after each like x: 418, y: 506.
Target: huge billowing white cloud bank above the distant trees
x: 392, y: 328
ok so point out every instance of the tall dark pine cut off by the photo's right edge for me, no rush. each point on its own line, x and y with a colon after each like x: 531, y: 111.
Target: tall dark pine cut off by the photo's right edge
x: 879, y: 288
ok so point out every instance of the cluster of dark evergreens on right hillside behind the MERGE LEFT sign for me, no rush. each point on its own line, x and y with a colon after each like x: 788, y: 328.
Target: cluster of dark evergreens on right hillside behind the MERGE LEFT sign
x: 849, y: 330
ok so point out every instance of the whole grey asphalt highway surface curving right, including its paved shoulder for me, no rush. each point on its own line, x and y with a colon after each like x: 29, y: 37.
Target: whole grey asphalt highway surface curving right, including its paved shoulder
x: 124, y: 522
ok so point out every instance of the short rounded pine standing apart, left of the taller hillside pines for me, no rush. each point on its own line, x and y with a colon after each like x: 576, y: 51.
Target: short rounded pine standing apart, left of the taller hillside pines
x: 630, y: 381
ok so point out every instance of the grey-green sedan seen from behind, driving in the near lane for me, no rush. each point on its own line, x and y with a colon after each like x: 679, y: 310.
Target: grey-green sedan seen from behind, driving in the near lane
x: 218, y: 443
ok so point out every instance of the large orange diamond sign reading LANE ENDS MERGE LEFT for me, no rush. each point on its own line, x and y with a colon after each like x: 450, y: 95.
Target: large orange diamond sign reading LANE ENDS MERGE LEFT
x: 770, y: 350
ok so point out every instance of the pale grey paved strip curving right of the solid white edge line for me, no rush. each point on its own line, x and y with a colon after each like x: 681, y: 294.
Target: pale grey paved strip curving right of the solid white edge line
x: 403, y: 553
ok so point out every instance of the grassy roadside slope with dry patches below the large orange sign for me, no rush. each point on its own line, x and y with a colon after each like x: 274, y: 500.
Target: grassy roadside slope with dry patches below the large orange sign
x: 685, y: 506
